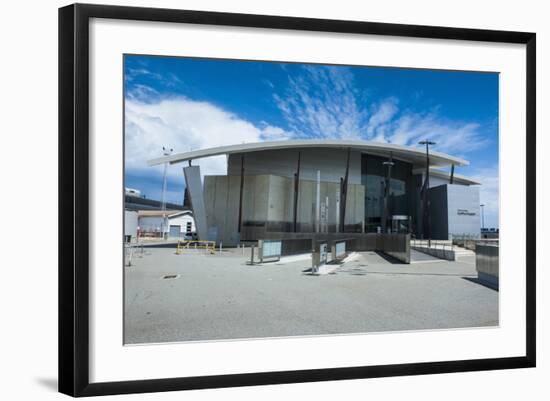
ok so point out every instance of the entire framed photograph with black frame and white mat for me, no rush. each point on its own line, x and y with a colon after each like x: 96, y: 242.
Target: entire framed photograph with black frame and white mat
x: 251, y: 199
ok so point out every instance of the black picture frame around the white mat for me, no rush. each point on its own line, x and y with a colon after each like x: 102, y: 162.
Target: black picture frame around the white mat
x: 74, y: 200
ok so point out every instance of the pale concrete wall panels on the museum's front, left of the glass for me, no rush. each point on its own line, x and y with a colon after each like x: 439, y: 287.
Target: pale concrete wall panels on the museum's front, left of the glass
x: 268, y: 205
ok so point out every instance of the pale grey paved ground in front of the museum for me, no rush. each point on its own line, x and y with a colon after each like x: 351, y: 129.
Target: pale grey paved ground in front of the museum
x: 220, y: 297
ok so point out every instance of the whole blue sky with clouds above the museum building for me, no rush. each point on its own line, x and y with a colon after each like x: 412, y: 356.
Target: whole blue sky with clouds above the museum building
x: 187, y: 103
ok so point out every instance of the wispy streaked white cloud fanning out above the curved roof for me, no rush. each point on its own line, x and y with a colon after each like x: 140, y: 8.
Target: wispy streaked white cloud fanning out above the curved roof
x: 324, y: 102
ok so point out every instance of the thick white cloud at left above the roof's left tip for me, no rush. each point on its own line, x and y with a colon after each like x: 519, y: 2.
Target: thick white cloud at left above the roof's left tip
x: 184, y: 125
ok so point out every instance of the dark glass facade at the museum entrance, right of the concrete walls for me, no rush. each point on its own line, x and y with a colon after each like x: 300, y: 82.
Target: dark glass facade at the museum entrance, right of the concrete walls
x: 373, y: 177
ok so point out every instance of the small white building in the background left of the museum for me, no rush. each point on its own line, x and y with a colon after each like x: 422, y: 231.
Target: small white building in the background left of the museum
x: 169, y: 223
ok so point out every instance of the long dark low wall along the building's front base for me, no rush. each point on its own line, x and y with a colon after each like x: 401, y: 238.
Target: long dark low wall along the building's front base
x: 395, y: 245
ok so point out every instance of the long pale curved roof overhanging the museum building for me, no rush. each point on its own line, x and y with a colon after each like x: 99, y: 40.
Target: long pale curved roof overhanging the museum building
x: 417, y: 156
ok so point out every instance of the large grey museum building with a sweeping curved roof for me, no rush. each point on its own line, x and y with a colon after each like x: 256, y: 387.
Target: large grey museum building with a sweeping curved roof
x: 329, y: 186
